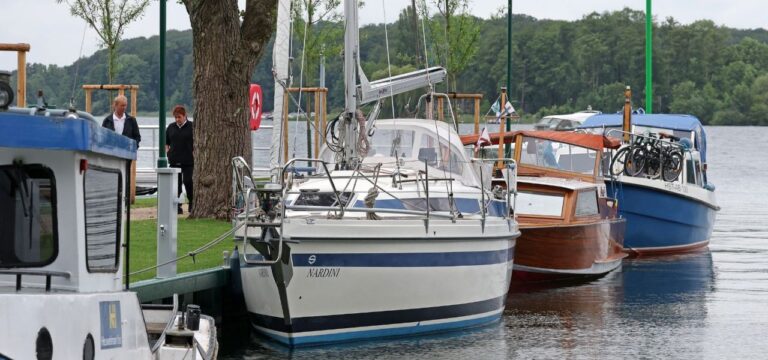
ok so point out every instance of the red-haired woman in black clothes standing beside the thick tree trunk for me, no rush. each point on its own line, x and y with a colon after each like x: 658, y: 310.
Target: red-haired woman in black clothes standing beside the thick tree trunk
x: 179, y: 143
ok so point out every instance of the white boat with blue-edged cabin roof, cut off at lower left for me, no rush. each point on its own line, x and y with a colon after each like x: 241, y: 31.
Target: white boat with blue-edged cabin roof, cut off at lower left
x: 62, y: 225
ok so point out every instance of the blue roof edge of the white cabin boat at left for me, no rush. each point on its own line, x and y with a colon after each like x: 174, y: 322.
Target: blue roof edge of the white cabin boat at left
x: 60, y: 133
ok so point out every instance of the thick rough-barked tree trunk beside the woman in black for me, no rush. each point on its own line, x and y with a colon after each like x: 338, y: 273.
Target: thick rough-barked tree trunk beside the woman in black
x: 227, y: 45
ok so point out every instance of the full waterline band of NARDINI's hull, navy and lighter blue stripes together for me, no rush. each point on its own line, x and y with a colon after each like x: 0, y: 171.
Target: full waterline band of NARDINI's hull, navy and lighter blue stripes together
x: 344, y: 325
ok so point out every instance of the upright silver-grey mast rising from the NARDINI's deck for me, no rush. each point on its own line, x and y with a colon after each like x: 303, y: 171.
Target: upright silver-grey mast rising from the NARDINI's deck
x: 351, y: 45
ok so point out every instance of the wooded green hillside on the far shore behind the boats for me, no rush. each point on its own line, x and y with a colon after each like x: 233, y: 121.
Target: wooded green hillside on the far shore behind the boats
x: 715, y: 73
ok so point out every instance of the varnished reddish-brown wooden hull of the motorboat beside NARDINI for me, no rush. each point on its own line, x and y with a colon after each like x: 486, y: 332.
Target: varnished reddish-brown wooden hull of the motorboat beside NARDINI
x: 556, y: 252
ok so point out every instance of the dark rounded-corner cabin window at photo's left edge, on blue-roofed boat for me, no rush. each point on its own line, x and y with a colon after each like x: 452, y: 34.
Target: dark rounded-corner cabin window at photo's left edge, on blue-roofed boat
x: 28, y: 229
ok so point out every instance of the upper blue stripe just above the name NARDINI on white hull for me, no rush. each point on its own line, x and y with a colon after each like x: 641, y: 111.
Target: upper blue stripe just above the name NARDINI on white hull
x: 441, y: 259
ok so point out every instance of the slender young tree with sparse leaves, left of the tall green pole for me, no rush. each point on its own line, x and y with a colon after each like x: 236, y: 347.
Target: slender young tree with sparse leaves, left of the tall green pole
x: 109, y: 19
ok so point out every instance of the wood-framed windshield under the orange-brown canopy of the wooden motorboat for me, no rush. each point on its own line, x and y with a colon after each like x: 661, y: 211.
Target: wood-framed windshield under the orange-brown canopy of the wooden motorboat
x: 557, y: 155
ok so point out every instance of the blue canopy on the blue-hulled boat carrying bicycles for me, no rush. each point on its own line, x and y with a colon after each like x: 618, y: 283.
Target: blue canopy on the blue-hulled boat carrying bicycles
x: 680, y: 122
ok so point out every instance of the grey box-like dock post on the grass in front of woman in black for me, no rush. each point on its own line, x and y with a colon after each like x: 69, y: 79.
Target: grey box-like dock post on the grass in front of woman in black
x: 167, y: 204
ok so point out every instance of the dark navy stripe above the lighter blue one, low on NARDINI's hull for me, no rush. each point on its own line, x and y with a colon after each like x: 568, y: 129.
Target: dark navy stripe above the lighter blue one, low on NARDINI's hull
x: 391, y: 317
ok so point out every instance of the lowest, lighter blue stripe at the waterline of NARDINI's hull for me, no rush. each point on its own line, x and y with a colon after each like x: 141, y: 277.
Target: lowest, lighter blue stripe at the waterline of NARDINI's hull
x: 383, y: 333
